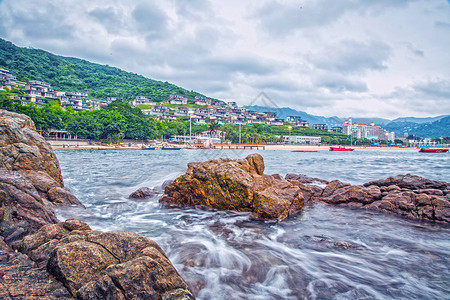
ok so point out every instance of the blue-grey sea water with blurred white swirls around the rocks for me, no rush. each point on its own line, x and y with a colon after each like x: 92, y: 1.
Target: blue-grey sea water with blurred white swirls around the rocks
x: 323, y: 253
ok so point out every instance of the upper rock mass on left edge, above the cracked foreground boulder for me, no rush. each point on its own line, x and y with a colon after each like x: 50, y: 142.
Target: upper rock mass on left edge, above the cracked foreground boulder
x: 30, y: 179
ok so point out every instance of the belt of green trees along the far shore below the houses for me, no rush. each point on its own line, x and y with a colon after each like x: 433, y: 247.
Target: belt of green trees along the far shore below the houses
x: 120, y: 120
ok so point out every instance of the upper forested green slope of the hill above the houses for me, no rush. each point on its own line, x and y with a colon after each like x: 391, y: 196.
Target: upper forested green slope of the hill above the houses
x: 73, y: 74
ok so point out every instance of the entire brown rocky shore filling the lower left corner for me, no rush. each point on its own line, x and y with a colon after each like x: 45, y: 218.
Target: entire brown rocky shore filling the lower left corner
x: 41, y: 257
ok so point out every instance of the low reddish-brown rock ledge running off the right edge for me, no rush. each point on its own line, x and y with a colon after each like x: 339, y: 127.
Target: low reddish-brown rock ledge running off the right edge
x: 407, y: 195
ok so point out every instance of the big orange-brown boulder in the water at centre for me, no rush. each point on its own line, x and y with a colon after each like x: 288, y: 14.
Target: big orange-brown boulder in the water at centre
x: 235, y: 185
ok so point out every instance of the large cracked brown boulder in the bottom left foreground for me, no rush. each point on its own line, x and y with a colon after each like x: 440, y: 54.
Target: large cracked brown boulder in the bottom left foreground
x: 97, y: 265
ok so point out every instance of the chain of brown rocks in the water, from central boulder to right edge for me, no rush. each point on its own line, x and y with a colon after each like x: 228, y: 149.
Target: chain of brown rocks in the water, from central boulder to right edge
x: 241, y: 185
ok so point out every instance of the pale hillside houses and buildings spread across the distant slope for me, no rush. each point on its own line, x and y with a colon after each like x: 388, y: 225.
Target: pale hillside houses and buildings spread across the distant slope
x: 204, y: 111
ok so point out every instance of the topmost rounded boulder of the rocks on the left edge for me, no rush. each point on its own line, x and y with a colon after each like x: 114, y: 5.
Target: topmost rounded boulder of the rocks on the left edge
x: 22, y: 148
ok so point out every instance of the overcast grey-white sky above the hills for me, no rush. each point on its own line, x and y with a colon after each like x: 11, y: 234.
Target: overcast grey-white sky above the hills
x: 365, y: 58
